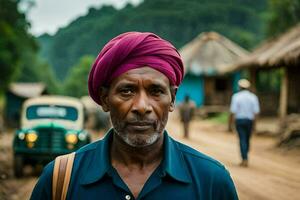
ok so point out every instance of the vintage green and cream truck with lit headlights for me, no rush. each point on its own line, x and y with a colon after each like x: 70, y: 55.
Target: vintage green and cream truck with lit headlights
x: 50, y: 126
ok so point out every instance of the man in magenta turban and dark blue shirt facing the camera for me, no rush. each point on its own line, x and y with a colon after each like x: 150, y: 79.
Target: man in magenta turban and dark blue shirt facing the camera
x: 135, y: 78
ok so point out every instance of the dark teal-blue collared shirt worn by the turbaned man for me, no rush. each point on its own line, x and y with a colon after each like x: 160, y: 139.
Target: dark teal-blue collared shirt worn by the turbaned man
x: 184, y: 173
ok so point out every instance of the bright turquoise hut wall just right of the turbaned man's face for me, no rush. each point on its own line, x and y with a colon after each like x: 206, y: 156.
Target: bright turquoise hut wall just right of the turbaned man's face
x: 193, y: 87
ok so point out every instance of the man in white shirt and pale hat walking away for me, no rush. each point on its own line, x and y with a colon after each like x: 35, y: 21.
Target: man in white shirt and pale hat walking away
x: 244, y: 107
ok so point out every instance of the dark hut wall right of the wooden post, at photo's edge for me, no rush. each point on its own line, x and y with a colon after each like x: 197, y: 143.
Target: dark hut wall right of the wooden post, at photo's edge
x: 293, y: 104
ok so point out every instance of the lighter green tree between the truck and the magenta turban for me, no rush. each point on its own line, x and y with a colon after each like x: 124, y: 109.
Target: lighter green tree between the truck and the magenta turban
x: 77, y: 79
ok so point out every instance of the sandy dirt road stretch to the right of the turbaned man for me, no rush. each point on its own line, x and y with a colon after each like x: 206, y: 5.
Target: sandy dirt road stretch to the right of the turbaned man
x: 272, y: 173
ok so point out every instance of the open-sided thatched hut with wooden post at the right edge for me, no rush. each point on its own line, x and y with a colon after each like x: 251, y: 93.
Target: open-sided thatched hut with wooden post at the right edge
x: 281, y: 53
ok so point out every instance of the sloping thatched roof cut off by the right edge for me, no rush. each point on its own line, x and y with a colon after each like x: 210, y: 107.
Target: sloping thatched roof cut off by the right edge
x: 281, y: 51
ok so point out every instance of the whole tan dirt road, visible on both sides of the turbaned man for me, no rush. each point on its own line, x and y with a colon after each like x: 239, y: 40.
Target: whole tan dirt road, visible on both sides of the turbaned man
x: 272, y: 174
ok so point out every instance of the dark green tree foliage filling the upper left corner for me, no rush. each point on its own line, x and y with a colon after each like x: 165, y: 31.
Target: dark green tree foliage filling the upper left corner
x: 14, y: 41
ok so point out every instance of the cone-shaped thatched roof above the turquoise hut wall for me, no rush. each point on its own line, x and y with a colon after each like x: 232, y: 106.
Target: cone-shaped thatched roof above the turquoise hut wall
x: 210, y: 54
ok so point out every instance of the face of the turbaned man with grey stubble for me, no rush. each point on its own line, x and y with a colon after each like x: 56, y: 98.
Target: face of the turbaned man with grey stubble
x: 139, y: 102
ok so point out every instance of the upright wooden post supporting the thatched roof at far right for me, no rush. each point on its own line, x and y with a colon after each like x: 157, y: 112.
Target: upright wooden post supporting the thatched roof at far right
x: 283, y: 95
